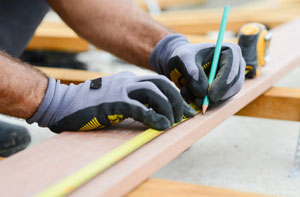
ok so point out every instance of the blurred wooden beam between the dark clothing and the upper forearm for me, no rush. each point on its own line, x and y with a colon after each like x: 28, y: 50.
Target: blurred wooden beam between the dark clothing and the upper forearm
x: 58, y: 37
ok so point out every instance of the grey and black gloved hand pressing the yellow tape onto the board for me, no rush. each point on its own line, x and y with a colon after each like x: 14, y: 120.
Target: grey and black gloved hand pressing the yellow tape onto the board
x: 108, y: 100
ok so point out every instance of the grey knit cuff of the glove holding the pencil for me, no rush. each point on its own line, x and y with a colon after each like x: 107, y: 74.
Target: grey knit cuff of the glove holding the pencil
x: 163, y: 50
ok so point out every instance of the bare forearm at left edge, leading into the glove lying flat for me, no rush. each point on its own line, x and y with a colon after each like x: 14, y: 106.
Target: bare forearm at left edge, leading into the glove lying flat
x: 22, y: 87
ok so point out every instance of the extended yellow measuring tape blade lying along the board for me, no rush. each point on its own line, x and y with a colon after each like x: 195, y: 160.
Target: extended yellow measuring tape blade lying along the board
x: 83, y: 175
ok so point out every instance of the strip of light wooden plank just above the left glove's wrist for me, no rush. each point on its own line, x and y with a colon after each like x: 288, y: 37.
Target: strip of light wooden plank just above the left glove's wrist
x: 68, y: 76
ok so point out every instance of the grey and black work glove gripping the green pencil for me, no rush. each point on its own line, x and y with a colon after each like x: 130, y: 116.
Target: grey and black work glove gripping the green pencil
x: 188, y: 66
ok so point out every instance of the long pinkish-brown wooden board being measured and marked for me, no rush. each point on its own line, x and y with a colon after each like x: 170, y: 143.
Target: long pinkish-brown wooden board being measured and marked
x: 40, y: 166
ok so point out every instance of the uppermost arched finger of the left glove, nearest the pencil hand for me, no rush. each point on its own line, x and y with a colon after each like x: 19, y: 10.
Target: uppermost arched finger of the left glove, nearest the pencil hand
x: 171, y: 93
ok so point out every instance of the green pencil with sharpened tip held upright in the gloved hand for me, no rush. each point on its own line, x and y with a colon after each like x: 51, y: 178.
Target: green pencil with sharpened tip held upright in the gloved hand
x: 217, y: 52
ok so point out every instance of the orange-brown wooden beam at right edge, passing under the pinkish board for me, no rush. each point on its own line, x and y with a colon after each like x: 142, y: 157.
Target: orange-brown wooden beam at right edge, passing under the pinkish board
x: 276, y: 103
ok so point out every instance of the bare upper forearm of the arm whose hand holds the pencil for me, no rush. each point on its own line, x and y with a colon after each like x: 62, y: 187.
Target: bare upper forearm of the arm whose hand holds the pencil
x: 117, y: 26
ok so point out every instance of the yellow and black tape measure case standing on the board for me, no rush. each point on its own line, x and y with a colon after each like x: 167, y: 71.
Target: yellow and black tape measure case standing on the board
x: 254, y: 39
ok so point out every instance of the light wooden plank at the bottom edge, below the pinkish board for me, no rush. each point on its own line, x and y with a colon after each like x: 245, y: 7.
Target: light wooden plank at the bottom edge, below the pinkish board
x: 166, y: 188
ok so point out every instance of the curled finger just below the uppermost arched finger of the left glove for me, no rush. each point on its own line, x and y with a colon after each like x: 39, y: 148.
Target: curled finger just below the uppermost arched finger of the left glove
x: 148, y: 94
